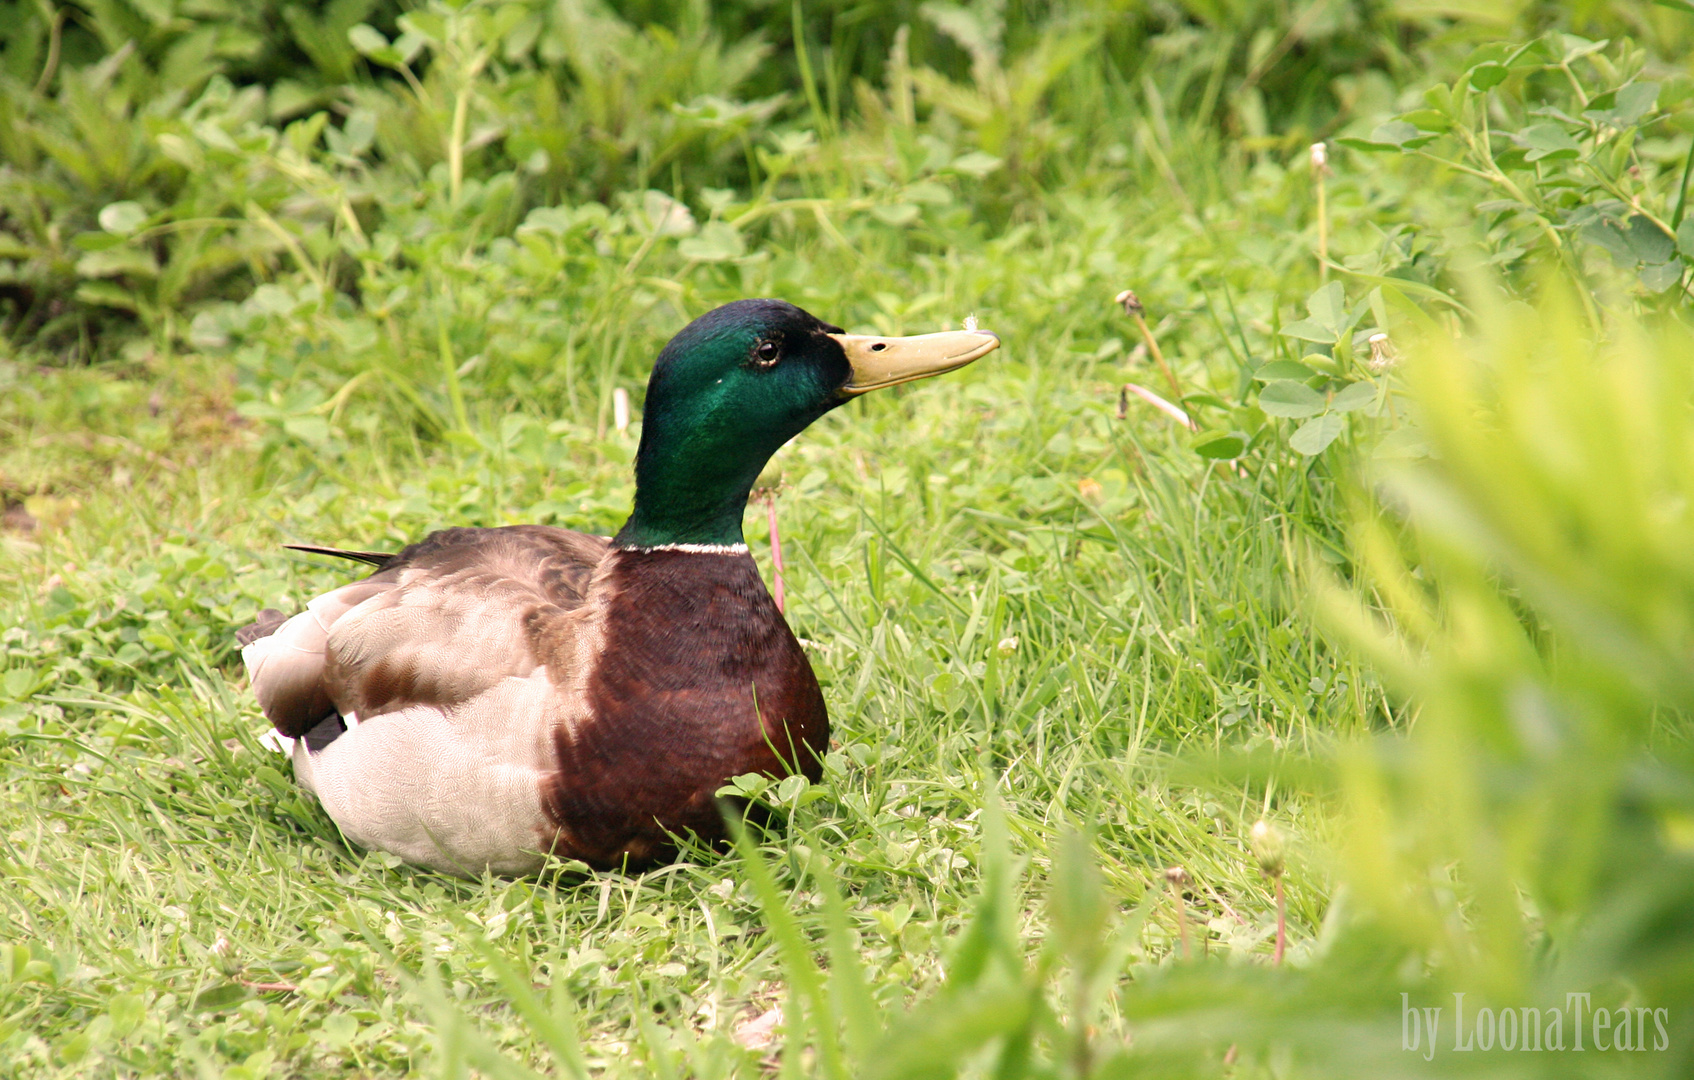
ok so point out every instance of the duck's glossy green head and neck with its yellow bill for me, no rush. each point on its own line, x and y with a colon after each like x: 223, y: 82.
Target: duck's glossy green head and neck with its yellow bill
x: 734, y: 387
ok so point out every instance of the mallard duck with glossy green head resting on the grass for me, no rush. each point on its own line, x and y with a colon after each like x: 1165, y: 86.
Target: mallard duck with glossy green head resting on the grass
x: 490, y: 697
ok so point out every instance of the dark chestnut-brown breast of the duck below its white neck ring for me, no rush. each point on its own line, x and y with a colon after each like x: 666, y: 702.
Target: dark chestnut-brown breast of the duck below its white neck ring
x: 699, y: 681
